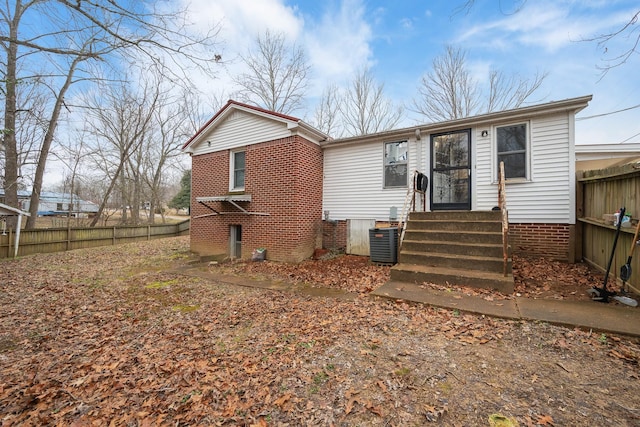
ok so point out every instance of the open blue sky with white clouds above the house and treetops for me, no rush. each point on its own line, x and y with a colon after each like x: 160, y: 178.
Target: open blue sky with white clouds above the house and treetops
x: 398, y: 41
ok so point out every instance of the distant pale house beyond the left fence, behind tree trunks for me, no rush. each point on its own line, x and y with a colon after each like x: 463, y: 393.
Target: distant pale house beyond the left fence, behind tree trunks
x: 53, y: 203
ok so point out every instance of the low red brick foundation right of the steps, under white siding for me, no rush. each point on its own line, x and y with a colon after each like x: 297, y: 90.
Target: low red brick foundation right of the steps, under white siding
x: 548, y: 240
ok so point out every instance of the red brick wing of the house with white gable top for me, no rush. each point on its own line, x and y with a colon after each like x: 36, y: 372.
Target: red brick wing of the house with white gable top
x: 256, y: 182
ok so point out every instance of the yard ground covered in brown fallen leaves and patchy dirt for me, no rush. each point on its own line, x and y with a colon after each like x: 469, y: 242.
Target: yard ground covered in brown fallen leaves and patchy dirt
x: 119, y: 336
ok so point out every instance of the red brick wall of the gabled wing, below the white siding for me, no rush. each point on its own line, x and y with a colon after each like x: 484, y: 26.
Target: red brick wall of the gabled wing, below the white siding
x: 284, y: 179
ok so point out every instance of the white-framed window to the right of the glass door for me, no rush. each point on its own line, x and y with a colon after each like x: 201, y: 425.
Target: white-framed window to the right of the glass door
x: 512, y: 144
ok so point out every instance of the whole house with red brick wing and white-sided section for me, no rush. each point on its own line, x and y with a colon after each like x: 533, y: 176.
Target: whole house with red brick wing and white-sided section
x: 266, y: 180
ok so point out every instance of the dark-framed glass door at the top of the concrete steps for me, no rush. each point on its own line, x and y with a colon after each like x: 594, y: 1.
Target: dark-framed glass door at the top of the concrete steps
x: 451, y: 170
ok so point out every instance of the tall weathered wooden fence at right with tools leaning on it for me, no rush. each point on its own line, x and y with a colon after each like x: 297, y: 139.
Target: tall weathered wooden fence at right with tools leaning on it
x: 600, y: 193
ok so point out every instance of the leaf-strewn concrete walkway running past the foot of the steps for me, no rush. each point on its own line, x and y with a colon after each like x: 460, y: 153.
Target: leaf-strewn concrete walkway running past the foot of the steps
x: 610, y: 317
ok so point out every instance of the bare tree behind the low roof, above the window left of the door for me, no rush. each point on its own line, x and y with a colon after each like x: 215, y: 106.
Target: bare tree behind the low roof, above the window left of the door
x: 365, y: 109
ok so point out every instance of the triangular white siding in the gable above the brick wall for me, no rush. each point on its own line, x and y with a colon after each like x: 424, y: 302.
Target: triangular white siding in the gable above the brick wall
x: 239, y: 130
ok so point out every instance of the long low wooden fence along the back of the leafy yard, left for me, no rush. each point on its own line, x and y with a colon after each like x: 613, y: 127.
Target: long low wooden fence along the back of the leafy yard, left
x: 64, y: 239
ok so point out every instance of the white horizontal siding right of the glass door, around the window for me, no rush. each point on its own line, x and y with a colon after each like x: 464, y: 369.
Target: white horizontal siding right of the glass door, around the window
x: 547, y: 197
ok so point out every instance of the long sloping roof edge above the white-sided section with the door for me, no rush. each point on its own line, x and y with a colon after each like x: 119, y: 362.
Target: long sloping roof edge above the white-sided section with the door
x: 571, y: 104
